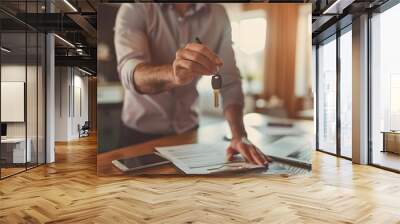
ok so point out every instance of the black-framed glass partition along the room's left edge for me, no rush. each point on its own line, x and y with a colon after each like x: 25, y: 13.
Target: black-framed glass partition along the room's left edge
x: 22, y: 107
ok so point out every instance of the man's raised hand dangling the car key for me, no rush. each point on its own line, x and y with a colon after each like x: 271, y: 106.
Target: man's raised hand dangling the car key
x: 194, y: 60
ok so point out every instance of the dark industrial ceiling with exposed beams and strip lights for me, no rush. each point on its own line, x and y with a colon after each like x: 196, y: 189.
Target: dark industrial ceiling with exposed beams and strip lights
x: 76, y: 22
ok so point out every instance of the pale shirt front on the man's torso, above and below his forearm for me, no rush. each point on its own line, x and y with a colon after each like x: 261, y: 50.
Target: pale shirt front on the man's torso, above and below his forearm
x: 172, y: 111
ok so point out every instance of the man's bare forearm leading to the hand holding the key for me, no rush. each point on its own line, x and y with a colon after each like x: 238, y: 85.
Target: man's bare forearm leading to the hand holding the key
x: 150, y: 79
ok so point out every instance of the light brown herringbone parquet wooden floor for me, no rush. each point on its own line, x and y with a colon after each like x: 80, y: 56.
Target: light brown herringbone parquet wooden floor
x: 69, y: 191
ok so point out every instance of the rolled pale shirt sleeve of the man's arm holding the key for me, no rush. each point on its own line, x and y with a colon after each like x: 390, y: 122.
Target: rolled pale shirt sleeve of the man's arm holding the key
x: 131, y: 42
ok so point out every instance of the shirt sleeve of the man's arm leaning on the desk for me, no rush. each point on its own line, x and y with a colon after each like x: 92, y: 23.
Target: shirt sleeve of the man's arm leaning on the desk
x: 231, y: 90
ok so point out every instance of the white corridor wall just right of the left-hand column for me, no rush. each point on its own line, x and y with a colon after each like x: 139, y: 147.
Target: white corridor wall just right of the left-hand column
x: 69, y: 82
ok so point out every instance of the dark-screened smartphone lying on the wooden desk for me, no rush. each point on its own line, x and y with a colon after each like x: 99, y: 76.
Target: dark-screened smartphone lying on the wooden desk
x: 139, y: 162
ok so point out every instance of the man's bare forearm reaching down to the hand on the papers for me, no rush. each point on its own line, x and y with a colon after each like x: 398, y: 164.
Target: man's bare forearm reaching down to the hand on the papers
x: 234, y: 115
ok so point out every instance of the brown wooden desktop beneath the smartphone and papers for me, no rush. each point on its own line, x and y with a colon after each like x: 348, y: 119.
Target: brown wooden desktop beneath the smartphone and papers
x: 208, y: 134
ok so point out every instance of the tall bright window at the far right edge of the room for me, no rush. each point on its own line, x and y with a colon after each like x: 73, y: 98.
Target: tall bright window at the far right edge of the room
x: 385, y: 87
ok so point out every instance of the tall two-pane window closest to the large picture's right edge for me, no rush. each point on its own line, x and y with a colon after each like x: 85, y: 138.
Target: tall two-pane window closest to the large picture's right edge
x: 334, y: 137
